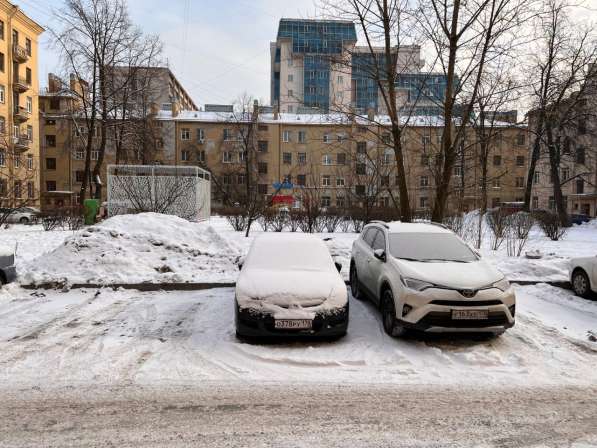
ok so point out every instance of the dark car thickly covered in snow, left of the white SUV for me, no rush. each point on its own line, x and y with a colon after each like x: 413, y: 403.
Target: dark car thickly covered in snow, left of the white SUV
x: 289, y: 285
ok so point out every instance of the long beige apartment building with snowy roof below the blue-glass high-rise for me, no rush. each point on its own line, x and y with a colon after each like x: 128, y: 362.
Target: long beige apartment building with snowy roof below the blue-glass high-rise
x: 344, y: 162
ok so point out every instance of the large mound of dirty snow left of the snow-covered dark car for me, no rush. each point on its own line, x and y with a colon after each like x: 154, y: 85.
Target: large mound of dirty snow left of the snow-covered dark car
x: 147, y: 247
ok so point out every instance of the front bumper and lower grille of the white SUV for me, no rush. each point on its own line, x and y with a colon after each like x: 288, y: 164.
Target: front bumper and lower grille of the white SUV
x: 431, y: 311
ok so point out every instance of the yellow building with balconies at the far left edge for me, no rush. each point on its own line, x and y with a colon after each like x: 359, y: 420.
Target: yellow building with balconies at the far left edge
x: 19, y: 122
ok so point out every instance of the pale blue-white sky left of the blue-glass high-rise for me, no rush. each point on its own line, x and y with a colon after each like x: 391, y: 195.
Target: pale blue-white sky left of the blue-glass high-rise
x: 218, y: 49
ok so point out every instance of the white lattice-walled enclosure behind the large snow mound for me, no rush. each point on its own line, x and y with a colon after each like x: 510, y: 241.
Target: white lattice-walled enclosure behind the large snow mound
x: 173, y: 190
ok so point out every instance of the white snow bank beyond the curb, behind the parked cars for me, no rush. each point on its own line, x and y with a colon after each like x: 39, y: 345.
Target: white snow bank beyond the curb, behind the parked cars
x: 130, y: 256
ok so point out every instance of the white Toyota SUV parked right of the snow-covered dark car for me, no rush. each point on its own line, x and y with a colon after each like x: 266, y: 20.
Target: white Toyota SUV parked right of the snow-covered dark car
x: 424, y: 277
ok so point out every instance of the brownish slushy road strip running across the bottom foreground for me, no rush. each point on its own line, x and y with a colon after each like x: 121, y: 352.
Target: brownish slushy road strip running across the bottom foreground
x: 299, y: 416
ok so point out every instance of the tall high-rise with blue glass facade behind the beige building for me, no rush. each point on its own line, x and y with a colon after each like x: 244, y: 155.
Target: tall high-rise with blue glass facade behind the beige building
x: 317, y: 66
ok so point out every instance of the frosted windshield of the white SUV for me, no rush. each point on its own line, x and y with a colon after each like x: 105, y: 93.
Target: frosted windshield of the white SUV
x: 430, y: 247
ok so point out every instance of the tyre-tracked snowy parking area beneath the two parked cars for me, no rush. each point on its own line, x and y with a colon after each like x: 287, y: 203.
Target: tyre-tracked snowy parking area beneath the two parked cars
x: 187, y: 338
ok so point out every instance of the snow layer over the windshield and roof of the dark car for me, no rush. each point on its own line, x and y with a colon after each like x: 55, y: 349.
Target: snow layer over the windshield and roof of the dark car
x: 282, y: 251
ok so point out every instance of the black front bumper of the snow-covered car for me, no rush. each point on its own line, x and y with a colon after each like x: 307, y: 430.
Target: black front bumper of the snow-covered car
x: 251, y: 323
